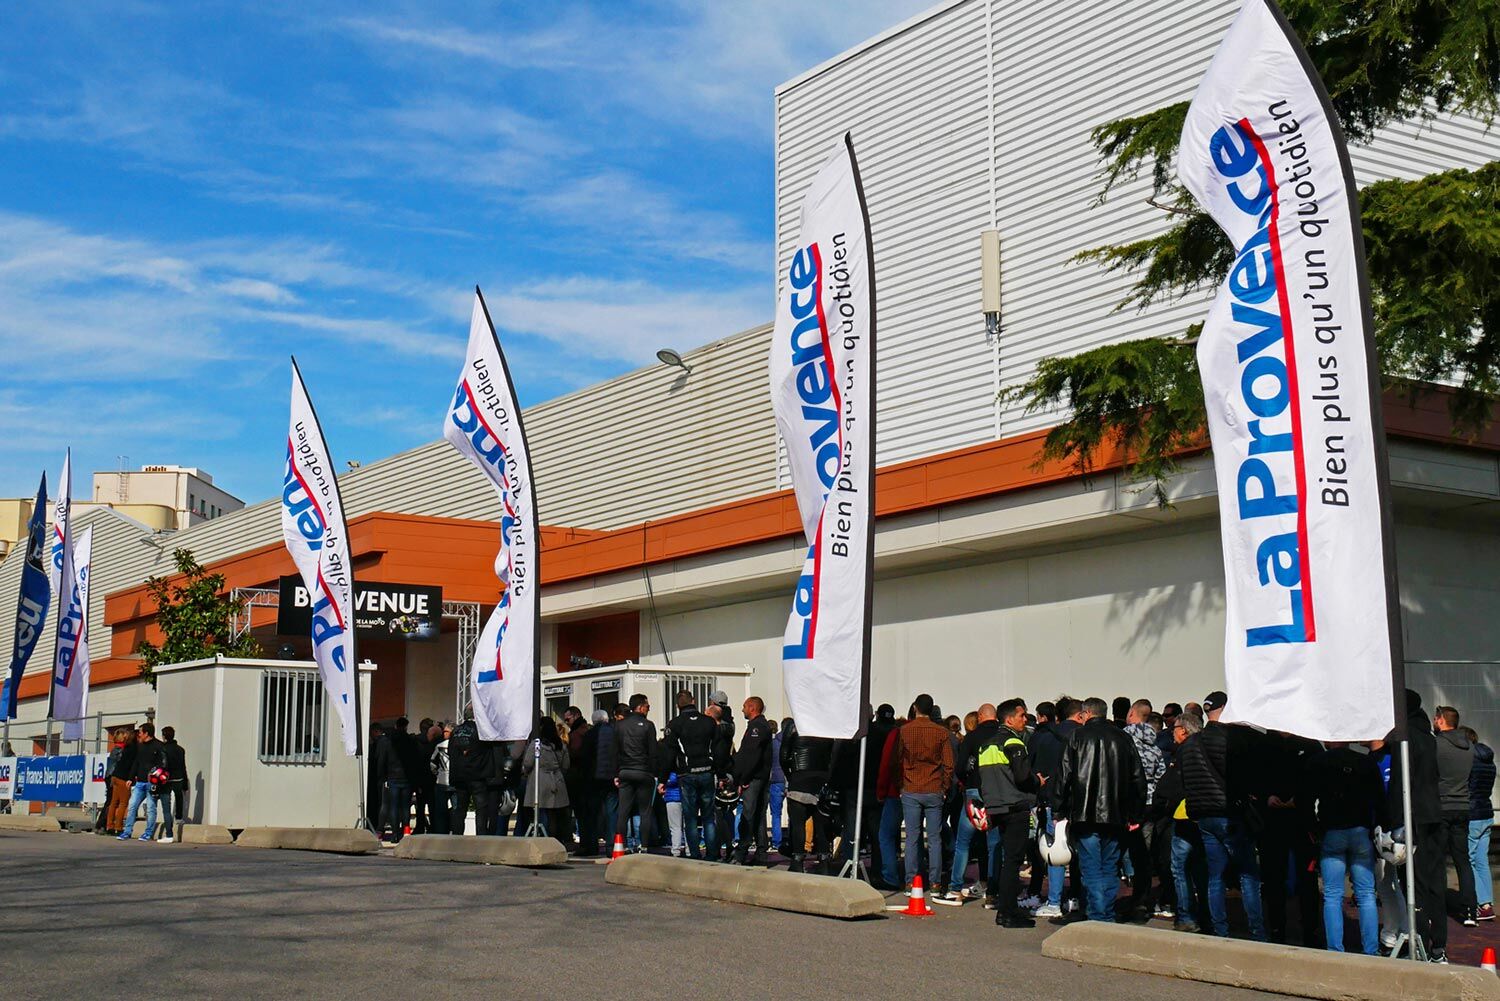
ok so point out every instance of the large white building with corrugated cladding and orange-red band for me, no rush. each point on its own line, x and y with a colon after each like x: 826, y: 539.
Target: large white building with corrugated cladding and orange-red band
x: 676, y: 538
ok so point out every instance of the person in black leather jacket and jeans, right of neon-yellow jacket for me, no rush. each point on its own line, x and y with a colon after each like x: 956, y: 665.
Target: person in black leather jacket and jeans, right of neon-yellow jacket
x: 1102, y: 792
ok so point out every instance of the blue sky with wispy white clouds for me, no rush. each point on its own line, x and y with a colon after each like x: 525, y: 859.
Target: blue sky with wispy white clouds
x: 190, y: 193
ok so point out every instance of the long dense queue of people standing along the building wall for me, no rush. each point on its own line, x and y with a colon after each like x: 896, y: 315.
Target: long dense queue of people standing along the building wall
x: 1054, y: 807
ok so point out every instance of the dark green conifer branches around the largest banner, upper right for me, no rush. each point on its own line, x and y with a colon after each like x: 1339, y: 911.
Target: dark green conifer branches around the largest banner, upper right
x: 1433, y: 245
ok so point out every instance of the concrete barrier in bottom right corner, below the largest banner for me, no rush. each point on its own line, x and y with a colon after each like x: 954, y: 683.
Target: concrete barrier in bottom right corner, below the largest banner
x: 1307, y: 973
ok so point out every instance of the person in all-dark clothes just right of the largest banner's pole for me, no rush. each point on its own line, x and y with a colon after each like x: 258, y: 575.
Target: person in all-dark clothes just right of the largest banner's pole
x: 1427, y: 819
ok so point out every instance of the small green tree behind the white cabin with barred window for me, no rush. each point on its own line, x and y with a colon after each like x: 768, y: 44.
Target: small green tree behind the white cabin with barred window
x: 196, y: 618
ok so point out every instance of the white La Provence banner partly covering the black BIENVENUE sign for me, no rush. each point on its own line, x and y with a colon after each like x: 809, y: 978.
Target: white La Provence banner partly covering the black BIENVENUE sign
x: 319, y: 540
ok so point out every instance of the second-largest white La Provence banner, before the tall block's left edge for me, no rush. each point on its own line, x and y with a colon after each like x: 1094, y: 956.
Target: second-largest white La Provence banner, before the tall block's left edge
x: 823, y: 391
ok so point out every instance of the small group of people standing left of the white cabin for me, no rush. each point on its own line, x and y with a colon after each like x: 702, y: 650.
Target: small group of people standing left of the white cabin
x: 145, y: 772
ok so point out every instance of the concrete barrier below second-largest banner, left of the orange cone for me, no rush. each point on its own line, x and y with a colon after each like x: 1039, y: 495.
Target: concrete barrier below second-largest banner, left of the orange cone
x: 826, y: 897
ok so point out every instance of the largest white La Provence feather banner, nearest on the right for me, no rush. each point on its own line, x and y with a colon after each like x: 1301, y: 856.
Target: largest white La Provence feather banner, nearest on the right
x: 1289, y: 376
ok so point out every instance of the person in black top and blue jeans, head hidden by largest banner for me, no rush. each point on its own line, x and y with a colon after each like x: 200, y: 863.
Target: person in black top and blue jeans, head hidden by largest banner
x: 1343, y: 793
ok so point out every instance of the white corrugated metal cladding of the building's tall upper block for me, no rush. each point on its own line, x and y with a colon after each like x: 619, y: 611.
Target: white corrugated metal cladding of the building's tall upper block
x: 1016, y: 86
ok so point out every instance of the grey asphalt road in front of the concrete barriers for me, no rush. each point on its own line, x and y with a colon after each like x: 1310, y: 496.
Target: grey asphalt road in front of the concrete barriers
x: 85, y: 916
